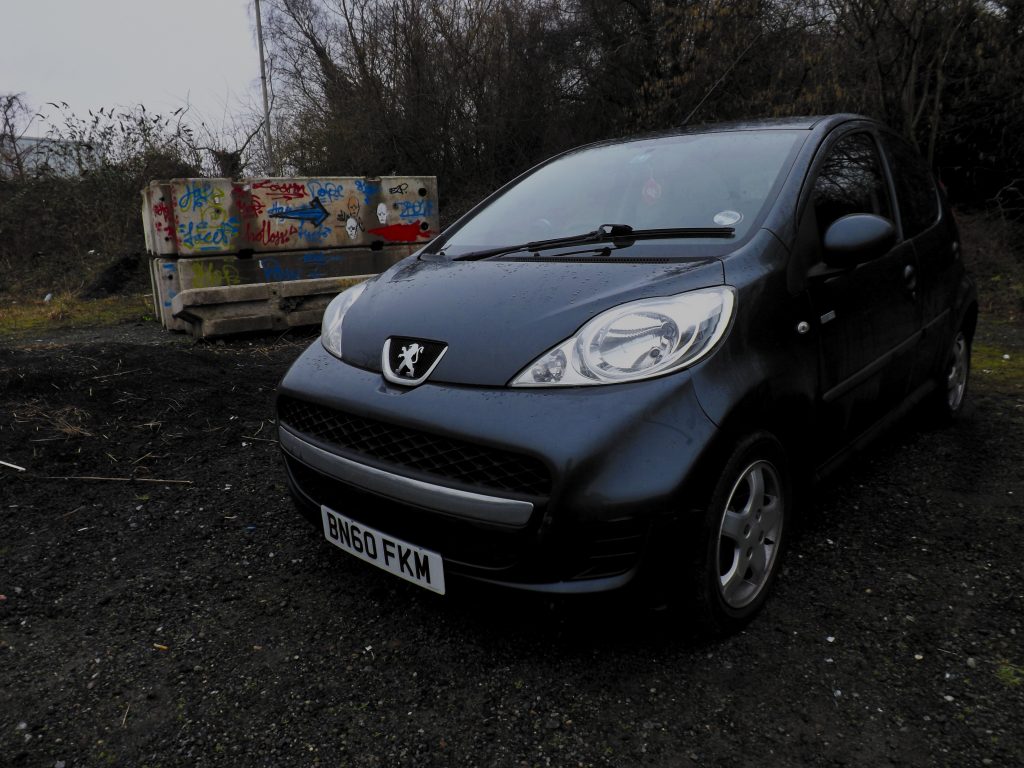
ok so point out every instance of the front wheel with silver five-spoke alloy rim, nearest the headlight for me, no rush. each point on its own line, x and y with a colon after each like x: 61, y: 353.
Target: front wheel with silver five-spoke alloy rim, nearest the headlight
x: 742, y: 536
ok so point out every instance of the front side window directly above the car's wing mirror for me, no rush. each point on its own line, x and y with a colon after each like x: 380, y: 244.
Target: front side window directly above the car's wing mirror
x: 851, y: 182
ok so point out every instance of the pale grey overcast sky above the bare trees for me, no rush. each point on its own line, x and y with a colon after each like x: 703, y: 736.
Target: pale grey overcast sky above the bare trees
x: 161, y: 54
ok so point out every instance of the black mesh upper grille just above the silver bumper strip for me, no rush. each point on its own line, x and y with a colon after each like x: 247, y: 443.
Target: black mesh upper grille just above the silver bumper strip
x: 442, y: 457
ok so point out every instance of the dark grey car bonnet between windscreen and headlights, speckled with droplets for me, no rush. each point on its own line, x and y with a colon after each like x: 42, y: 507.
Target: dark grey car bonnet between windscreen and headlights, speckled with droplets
x: 498, y: 317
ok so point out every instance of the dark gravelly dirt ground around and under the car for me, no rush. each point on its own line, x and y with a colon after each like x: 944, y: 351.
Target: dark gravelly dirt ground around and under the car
x: 162, y: 604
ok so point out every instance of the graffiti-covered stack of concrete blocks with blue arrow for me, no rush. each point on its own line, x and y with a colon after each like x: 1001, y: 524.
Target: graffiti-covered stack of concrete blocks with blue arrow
x: 265, y: 254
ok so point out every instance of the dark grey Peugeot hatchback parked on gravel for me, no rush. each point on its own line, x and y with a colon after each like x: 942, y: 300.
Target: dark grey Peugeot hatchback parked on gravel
x: 627, y: 362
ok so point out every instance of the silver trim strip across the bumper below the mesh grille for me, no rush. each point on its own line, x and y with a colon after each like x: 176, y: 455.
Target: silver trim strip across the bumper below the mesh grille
x: 493, y: 509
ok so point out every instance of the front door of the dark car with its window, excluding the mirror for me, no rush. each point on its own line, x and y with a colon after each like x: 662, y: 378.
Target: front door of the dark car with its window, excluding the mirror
x: 867, y: 316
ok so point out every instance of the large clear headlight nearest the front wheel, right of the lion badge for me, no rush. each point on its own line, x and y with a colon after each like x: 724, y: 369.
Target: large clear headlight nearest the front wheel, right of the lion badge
x: 638, y: 340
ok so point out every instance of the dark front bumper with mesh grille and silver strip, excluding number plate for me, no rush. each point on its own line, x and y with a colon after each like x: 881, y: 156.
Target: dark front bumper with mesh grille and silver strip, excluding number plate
x: 558, y: 491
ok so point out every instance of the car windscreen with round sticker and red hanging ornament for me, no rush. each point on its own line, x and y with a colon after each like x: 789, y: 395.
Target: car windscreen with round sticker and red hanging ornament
x: 704, y: 181
